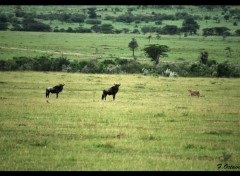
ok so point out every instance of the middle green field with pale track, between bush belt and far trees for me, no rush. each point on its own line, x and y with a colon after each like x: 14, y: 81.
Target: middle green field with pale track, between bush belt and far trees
x: 92, y: 46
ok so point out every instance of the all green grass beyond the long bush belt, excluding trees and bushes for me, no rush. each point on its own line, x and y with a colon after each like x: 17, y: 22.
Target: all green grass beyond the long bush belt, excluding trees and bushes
x: 82, y: 46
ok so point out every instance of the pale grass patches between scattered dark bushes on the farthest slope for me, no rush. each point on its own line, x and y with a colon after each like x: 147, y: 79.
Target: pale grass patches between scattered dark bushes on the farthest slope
x: 104, y: 10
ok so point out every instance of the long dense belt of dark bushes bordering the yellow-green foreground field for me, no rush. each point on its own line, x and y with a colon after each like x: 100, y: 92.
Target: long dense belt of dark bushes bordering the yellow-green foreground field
x: 203, y: 68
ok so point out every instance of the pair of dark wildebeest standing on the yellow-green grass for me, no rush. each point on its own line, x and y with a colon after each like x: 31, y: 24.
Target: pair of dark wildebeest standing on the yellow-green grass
x: 57, y: 89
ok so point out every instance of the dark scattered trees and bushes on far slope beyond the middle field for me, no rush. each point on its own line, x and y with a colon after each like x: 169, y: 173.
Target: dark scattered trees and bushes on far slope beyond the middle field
x: 23, y: 21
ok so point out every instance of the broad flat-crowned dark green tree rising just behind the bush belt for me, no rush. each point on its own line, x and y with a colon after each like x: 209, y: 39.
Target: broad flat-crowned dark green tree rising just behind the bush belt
x: 155, y: 51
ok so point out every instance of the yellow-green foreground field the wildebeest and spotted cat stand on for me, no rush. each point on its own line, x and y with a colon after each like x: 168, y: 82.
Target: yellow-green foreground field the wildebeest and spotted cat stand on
x: 152, y: 125
